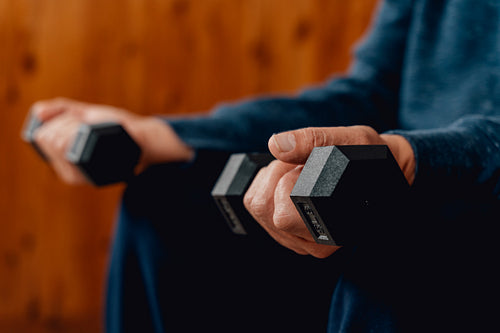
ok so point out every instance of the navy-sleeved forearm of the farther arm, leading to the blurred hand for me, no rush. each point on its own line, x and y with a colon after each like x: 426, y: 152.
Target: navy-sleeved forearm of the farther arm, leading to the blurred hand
x: 247, y: 126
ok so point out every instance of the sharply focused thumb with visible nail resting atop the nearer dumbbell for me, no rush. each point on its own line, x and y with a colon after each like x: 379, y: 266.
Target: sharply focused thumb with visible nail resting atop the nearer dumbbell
x: 296, y: 146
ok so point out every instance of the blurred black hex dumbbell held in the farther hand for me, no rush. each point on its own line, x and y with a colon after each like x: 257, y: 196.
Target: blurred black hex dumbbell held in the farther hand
x: 105, y: 153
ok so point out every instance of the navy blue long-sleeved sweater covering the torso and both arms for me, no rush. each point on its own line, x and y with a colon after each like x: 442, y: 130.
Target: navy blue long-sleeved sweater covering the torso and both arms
x: 430, y: 69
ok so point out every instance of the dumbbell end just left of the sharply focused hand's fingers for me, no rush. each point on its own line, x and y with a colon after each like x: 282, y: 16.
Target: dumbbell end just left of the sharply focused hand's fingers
x: 231, y: 186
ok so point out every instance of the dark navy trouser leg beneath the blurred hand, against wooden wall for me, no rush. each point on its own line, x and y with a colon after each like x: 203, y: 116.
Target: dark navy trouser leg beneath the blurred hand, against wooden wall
x: 175, y: 265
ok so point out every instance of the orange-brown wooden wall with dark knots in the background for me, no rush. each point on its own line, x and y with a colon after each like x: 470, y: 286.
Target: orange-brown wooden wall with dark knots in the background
x: 149, y: 56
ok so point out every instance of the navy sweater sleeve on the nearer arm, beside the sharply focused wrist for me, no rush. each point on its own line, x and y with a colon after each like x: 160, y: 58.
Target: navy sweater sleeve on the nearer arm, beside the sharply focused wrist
x: 457, y: 158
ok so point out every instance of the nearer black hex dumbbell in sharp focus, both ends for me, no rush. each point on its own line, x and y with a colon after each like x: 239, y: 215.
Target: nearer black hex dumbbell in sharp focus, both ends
x: 342, y: 193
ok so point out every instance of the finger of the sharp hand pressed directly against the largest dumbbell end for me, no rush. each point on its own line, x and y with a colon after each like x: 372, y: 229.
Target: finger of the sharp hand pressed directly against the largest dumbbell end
x: 286, y: 217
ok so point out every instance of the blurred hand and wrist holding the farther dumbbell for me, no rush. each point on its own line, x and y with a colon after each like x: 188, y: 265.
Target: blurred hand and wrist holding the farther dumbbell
x: 62, y: 117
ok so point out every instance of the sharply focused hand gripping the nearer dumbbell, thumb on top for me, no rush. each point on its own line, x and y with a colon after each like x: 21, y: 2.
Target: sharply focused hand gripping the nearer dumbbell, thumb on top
x: 268, y: 198
